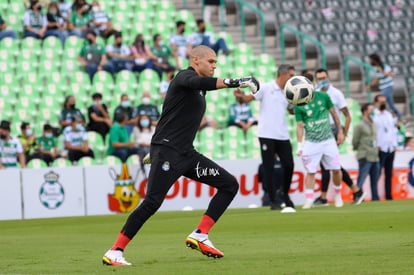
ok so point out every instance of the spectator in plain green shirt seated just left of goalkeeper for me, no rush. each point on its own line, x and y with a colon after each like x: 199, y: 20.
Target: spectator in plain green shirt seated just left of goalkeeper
x: 118, y: 142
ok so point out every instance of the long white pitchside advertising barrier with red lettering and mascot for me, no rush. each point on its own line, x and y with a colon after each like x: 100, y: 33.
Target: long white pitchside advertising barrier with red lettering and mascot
x: 111, y: 189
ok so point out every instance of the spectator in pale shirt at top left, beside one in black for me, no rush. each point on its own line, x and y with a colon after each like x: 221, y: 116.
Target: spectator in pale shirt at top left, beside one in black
x: 35, y: 23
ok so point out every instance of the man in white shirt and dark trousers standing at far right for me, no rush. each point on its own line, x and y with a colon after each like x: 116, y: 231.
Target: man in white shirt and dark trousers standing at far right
x: 387, y: 140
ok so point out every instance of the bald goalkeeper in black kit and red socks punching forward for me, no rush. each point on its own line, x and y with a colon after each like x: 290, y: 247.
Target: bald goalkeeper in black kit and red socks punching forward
x: 173, y: 155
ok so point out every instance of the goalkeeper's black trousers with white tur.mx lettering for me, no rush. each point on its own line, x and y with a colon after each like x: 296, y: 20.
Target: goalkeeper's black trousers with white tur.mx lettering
x: 167, y: 165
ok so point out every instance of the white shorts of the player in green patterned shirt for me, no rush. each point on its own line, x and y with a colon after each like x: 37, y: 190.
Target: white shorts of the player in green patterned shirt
x: 325, y: 152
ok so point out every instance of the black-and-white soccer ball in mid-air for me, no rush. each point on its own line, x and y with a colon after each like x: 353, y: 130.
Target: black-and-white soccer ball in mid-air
x: 298, y: 90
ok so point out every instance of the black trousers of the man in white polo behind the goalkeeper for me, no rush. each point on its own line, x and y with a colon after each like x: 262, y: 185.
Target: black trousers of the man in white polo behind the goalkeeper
x: 283, y: 148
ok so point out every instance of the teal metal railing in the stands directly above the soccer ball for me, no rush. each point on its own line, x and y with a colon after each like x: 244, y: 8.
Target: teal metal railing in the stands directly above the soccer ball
x: 302, y: 37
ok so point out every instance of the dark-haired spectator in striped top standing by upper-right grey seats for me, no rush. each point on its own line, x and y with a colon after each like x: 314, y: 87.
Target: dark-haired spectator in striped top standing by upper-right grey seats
x: 383, y: 78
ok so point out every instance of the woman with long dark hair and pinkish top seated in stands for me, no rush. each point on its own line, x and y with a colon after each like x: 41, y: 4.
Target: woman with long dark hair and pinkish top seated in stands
x: 144, y: 58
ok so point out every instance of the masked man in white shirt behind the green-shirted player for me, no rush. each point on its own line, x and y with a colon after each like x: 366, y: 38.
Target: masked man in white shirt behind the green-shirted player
x: 340, y: 107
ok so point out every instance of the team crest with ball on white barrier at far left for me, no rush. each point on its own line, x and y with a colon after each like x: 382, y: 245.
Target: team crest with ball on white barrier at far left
x: 51, y: 193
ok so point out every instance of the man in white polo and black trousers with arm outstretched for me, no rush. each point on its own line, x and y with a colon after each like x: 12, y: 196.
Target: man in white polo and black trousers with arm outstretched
x: 273, y: 134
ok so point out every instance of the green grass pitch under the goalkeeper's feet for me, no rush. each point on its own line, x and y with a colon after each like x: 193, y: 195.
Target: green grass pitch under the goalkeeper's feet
x: 373, y: 238
